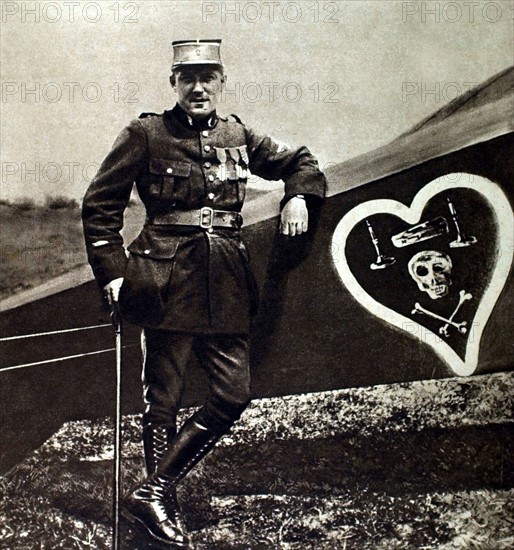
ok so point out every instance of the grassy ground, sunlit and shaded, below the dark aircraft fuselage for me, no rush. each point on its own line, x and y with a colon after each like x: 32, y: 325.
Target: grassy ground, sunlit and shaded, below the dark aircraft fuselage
x: 424, y: 465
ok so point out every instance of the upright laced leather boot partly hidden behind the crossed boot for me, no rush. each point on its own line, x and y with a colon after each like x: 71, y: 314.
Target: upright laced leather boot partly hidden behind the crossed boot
x: 156, y: 440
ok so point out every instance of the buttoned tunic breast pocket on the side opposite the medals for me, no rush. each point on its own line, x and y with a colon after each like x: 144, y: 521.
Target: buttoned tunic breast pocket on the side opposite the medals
x: 170, y: 180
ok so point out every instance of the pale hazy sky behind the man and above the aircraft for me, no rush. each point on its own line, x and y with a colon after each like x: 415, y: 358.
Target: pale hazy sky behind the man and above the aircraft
x: 342, y: 77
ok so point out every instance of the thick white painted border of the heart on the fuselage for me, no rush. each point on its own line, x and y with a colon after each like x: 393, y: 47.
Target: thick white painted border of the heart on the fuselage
x: 412, y: 215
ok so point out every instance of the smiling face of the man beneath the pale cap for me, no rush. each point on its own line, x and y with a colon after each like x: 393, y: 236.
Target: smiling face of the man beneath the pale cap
x: 198, y: 88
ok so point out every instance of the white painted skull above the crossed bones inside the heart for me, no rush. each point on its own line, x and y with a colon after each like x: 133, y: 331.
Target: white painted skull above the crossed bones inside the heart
x: 431, y: 270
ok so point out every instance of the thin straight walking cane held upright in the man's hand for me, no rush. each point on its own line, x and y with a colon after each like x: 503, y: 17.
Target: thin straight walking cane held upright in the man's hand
x: 116, y: 491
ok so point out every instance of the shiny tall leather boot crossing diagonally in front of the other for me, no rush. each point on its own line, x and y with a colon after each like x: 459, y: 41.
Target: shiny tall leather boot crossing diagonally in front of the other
x: 147, y: 502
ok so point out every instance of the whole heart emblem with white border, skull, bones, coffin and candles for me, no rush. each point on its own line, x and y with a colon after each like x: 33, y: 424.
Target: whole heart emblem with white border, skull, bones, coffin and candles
x: 434, y: 269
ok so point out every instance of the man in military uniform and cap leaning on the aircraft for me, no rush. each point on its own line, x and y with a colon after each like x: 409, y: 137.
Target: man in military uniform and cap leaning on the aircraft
x: 187, y: 279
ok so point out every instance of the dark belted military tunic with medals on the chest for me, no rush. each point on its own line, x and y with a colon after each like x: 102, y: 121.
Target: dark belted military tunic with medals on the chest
x: 177, y: 277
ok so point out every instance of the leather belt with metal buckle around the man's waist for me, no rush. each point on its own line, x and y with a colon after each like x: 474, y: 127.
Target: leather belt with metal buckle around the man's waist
x: 205, y: 217
